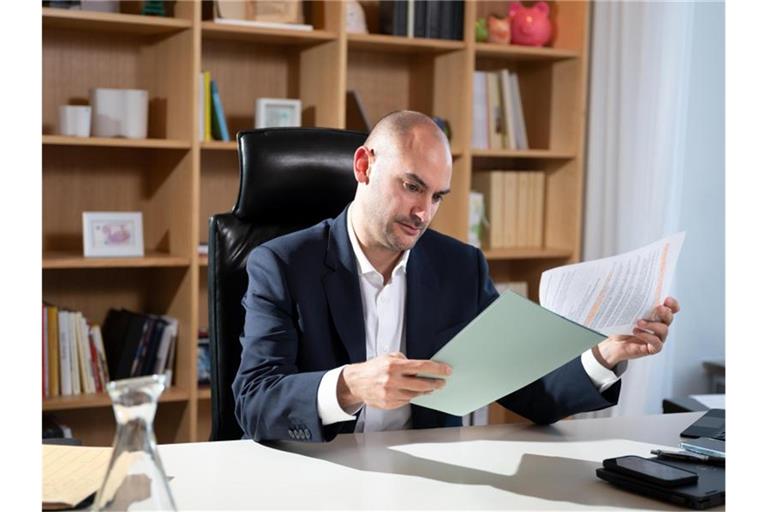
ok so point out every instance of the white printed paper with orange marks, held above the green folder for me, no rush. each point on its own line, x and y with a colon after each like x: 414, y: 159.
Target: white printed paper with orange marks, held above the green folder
x: 611, y: 294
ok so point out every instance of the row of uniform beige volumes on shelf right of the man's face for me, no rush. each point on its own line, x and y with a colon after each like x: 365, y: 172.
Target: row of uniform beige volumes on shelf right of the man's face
x: 514, y: 208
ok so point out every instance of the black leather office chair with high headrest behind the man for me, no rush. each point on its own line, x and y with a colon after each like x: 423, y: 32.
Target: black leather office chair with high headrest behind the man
x: 290, y: 178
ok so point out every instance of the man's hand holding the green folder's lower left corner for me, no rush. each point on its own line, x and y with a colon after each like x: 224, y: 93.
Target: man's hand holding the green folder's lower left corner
x: 388, y: 381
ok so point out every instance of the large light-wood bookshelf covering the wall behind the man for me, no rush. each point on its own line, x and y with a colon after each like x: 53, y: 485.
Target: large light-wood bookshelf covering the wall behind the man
x: 178, y: 182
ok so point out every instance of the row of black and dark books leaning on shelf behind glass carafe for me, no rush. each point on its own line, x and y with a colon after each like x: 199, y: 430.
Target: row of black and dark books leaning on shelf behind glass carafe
x: 139, y: 344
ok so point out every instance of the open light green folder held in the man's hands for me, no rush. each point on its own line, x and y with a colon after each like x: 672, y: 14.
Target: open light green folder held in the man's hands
x: 509, y: 345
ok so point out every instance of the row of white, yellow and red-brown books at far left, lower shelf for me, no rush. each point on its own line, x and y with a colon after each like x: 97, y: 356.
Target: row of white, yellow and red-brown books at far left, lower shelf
x: 74, y: 360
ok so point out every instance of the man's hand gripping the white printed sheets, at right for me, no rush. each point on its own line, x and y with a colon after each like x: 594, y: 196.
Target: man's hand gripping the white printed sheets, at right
x: 648, y: 339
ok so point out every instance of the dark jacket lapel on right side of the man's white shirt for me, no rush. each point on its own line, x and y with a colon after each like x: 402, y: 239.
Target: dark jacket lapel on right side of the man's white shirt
x: 421, y: 287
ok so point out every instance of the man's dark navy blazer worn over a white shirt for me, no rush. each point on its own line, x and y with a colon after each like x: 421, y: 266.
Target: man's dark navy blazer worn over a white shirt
x: 304, y: 316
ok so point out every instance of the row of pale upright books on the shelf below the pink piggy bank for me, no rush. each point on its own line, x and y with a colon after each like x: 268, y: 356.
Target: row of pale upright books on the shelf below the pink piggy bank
x: 498, y: 121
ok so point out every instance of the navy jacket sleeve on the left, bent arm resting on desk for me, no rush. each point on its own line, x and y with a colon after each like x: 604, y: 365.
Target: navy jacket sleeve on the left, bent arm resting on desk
x: 273, y: 400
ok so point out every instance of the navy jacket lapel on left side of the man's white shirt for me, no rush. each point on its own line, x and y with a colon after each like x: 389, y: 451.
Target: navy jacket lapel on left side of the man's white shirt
x: 342, y: 290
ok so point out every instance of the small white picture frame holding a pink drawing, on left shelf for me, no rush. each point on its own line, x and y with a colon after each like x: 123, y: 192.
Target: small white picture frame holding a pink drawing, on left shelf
x: 113, y: 234
